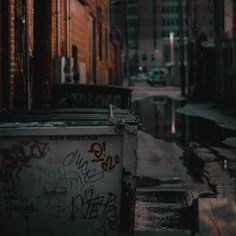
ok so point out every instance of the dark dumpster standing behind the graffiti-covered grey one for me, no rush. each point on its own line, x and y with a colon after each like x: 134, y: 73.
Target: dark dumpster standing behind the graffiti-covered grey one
x: 92, y: 96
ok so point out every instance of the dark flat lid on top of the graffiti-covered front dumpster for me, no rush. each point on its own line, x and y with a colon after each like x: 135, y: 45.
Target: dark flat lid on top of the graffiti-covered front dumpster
x: 64, y: 117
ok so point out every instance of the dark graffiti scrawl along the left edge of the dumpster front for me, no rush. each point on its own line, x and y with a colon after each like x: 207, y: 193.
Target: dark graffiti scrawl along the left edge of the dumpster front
x: 12, y: 163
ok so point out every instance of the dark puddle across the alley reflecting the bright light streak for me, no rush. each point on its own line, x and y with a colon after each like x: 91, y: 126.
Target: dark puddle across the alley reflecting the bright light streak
x: 159, y: 118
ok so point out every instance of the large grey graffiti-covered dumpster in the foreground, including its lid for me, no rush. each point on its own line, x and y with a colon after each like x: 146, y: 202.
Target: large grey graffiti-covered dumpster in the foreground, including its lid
x: 67, y: 172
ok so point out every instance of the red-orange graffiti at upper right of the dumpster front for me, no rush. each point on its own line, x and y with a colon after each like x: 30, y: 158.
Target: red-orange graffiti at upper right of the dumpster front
x: 108, y: 162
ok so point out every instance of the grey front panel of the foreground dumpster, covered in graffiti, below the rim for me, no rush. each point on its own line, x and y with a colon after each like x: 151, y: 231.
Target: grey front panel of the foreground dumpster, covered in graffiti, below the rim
x: 60, y: 185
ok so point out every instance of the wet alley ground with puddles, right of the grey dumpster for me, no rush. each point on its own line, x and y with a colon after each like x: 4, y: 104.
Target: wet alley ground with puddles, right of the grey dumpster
x: 185, y: 144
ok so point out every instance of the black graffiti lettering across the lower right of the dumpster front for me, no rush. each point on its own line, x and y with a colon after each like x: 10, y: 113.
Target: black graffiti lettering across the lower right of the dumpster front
x: 88, y: 205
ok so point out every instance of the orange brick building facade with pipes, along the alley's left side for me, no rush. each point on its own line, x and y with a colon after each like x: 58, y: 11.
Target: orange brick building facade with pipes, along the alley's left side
x: 40, y: 37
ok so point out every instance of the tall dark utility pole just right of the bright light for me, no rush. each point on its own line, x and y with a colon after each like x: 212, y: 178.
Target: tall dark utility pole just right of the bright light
x: 182, y: 66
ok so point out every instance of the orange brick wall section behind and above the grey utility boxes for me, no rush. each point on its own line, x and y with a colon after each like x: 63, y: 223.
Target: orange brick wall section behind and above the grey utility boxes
x: 78, y: 23
